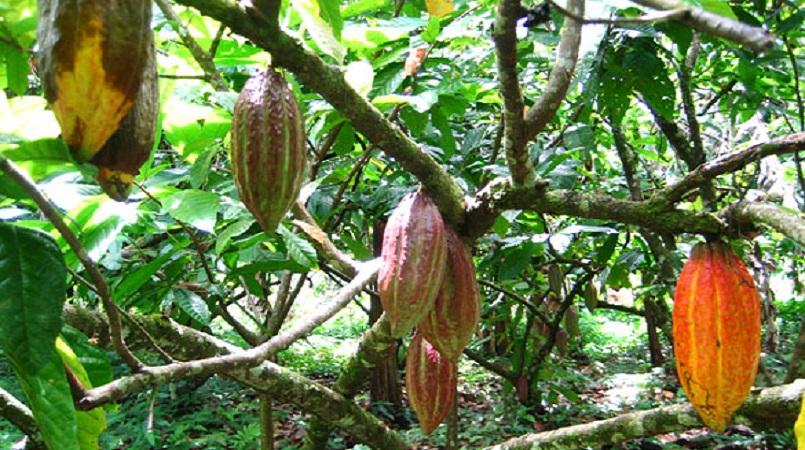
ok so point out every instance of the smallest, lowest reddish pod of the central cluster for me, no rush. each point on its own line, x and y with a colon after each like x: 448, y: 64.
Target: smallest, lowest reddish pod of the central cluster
x: 430, y: 379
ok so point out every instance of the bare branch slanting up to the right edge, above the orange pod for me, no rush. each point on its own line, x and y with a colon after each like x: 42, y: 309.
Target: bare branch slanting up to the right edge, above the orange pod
x: 729, y: 163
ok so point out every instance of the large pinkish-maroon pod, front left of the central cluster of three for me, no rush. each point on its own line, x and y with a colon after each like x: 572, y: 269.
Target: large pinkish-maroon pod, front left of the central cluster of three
x: 414, y: 257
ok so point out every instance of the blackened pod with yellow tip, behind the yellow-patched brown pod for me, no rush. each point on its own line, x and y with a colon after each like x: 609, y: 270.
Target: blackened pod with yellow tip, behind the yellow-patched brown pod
x: 121, y: 157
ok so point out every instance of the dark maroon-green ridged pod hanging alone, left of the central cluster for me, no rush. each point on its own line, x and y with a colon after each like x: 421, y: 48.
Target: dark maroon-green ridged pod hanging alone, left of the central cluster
x: 268, y: 148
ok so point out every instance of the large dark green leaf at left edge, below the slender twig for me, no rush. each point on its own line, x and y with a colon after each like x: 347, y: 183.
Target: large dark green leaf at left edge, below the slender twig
x: 33, y: 281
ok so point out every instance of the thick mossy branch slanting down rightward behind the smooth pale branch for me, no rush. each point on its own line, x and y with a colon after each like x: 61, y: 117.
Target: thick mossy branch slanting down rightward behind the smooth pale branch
x: 282, y: 384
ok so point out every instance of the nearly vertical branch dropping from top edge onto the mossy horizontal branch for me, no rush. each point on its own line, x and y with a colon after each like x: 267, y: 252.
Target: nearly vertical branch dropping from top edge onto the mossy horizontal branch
x: 514, y: 141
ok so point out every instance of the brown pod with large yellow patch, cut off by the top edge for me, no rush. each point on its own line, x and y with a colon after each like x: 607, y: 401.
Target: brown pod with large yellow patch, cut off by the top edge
x: 91, y: 59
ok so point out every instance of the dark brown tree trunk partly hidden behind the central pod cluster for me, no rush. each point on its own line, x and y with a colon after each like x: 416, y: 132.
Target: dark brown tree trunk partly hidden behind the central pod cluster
x: 384, y: 384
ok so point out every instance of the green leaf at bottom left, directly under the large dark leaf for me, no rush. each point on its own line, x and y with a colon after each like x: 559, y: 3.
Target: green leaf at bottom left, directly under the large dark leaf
x: 51, y: 402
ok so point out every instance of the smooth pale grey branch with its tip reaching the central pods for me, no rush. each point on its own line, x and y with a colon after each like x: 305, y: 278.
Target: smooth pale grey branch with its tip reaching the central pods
x: 239, y: 360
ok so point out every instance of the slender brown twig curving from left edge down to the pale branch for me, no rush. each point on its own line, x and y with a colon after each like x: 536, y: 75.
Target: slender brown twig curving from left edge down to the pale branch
x: 102, y: 288
